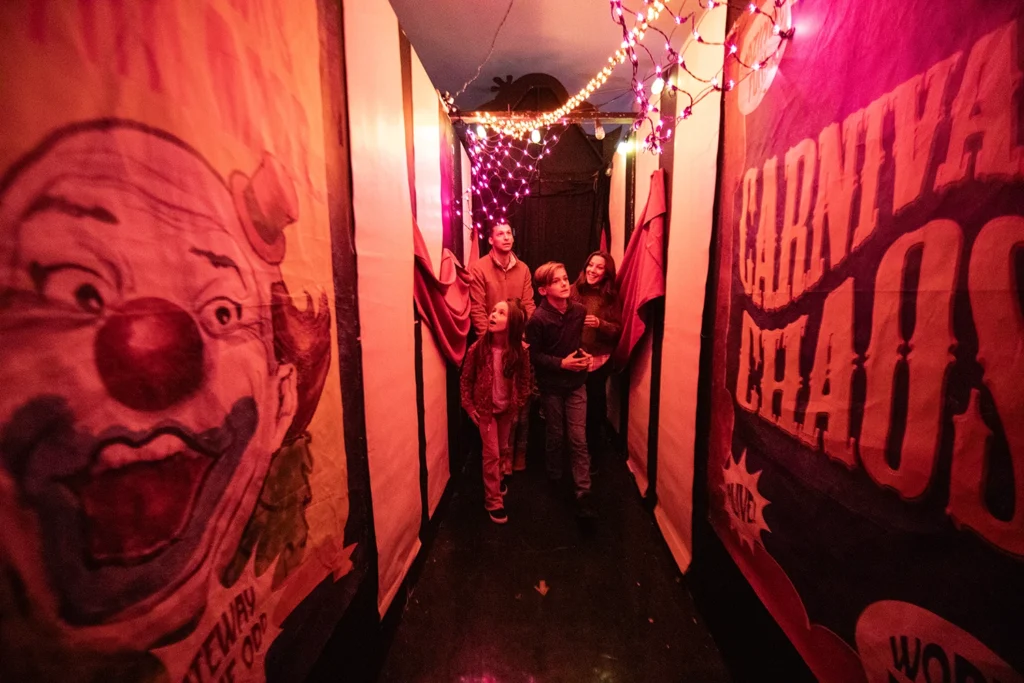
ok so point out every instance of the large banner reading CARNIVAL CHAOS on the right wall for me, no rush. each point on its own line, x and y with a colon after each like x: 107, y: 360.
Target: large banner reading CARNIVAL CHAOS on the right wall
x: 867, y: 468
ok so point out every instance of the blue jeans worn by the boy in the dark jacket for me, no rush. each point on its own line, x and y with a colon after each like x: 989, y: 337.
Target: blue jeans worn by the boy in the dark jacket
x: 567, y: 416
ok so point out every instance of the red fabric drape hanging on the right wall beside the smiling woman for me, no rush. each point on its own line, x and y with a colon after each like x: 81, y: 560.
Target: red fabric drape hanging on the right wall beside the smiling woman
x: 643, y: 276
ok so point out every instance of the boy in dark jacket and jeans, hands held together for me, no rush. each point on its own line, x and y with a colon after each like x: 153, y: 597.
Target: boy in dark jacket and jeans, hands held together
x: 561, y: 367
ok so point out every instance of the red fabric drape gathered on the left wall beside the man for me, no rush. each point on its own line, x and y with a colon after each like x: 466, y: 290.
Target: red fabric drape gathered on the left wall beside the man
x: 443, y: 302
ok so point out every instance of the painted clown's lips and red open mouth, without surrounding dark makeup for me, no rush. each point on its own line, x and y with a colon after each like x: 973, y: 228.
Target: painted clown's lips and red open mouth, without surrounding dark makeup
x: 138, y: 498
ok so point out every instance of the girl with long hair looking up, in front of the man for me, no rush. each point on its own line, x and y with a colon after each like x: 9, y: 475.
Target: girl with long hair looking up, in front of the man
x: 496, y: 382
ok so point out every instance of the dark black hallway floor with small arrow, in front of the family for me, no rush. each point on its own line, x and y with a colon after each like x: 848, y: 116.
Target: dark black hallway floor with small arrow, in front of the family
x: 617, y: 610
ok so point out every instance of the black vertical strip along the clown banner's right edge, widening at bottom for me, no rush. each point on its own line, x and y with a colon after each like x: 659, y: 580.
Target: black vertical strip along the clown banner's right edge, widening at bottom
x: 353, y: 616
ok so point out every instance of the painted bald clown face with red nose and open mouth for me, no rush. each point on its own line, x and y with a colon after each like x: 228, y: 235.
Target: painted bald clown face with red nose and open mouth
x: 142, y: 399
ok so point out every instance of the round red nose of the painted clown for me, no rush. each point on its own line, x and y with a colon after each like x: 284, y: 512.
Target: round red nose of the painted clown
x: 150, y: 355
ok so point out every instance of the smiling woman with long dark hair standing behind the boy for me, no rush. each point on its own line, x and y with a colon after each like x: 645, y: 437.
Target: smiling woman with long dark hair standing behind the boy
x: 595, y: 289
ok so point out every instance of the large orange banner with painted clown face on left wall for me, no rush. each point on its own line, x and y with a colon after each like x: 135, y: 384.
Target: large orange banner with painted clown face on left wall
x: 173, y: 468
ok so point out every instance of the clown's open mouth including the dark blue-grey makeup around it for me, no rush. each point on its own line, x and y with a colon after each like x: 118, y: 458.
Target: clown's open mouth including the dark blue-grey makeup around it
x: 126, y: 516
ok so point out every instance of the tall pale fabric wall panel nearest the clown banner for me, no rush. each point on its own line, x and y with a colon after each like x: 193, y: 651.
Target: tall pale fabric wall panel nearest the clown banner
x: 385, y: 248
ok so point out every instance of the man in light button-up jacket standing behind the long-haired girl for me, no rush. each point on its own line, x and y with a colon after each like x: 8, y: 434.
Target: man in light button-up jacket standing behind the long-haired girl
x: 497, y: 277
